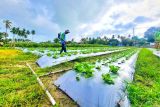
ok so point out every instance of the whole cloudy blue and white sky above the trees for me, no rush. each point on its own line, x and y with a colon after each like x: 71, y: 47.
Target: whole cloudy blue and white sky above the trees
x: 84, y: 18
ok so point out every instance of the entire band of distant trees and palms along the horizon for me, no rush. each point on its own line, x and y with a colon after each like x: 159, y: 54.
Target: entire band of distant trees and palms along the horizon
x: 22, y: 37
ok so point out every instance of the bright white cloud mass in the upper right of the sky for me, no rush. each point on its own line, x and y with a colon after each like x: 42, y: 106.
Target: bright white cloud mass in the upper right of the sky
x: 128, y: 12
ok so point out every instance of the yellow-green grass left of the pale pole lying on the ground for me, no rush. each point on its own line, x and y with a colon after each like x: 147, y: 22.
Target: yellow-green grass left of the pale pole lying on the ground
x: 18, y: 86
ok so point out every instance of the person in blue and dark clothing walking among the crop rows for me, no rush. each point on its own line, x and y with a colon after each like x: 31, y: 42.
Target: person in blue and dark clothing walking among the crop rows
x: 62, y: 37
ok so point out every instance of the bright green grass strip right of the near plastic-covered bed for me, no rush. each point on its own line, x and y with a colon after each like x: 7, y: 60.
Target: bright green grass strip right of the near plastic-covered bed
x: 145, y: 89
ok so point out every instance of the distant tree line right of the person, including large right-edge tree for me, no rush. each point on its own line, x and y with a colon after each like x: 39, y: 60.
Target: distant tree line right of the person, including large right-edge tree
x: 151, y: 35
